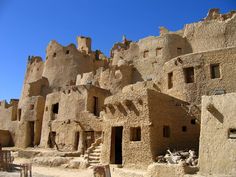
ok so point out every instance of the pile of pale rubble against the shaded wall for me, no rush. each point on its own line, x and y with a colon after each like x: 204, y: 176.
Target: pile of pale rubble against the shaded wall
x: 179, y: 157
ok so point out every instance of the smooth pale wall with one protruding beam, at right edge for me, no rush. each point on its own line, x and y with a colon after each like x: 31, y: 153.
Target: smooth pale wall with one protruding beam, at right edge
x: 218, y: 135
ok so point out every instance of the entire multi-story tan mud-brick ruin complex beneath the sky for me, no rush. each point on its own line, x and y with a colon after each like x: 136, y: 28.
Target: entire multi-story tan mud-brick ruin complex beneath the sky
x: 142, y: 100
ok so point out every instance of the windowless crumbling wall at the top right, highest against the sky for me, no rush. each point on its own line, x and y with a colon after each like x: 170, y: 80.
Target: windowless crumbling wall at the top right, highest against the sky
x: 214, y: 32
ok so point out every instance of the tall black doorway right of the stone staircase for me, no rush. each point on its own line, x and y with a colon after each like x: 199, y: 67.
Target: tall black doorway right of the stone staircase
x: 116, y: 145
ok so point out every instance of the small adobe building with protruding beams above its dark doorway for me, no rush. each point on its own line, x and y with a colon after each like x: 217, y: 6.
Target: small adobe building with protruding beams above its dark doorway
x: 143, y: 123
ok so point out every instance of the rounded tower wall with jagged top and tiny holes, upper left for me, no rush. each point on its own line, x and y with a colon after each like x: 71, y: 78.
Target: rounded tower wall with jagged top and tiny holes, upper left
x: 63, y: 64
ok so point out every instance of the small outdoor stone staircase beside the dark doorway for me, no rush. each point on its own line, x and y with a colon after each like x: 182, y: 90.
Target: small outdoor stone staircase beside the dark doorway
x: 93, y: 153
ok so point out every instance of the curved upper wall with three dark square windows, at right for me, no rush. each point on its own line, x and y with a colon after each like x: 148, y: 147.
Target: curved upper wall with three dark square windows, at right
x: 203, y: 83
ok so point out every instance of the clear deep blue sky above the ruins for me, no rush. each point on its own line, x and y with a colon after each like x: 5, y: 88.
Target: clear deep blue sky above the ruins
x: 27, y: 26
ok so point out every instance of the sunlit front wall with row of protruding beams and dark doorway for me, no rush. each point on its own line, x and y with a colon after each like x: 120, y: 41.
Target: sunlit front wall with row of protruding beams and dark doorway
x: 125, y: 110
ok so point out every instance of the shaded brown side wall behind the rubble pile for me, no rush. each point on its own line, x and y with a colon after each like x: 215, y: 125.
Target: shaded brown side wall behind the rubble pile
x: 184, y: 131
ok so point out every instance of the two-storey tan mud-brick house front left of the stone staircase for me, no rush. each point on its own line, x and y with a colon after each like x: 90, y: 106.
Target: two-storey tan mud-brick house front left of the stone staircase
x: 75, y: 114
